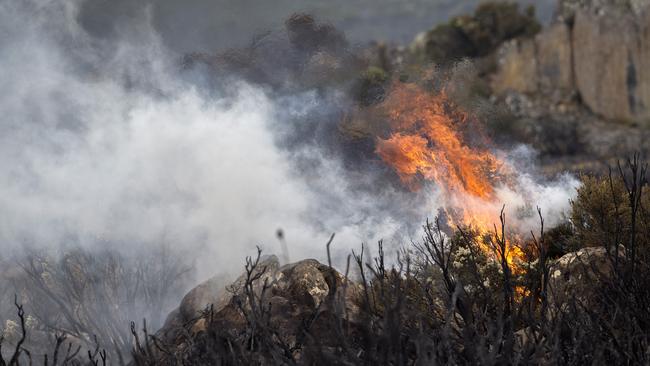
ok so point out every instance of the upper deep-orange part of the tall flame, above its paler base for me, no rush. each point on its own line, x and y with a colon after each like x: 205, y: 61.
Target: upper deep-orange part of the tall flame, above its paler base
x: 426, y: 142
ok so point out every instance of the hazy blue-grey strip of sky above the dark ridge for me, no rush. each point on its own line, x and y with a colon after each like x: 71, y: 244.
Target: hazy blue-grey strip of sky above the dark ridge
x: 209, y: 25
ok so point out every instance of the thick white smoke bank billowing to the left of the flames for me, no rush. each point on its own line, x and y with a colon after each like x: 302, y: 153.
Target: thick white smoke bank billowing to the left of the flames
x: 102, y: 144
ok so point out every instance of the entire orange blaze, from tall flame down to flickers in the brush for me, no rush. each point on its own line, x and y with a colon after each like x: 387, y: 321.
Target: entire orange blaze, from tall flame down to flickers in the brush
x: 431, y: 139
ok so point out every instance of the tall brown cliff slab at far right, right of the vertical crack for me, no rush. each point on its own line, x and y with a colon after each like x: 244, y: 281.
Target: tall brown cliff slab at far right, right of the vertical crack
x: 612, y: 63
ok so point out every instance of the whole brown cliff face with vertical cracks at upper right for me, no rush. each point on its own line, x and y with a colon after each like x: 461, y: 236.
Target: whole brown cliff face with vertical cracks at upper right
x: 599, y: 50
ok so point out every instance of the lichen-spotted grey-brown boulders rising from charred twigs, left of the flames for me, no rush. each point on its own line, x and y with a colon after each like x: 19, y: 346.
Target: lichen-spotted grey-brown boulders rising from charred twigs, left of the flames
x: 296, y: 294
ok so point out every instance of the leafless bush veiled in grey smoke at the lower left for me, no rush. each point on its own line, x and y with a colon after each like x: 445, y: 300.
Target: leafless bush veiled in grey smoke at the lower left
x: 88, y: 299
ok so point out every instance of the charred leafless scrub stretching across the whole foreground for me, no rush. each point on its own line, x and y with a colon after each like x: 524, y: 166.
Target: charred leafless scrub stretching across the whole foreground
x: 430, y: 307
